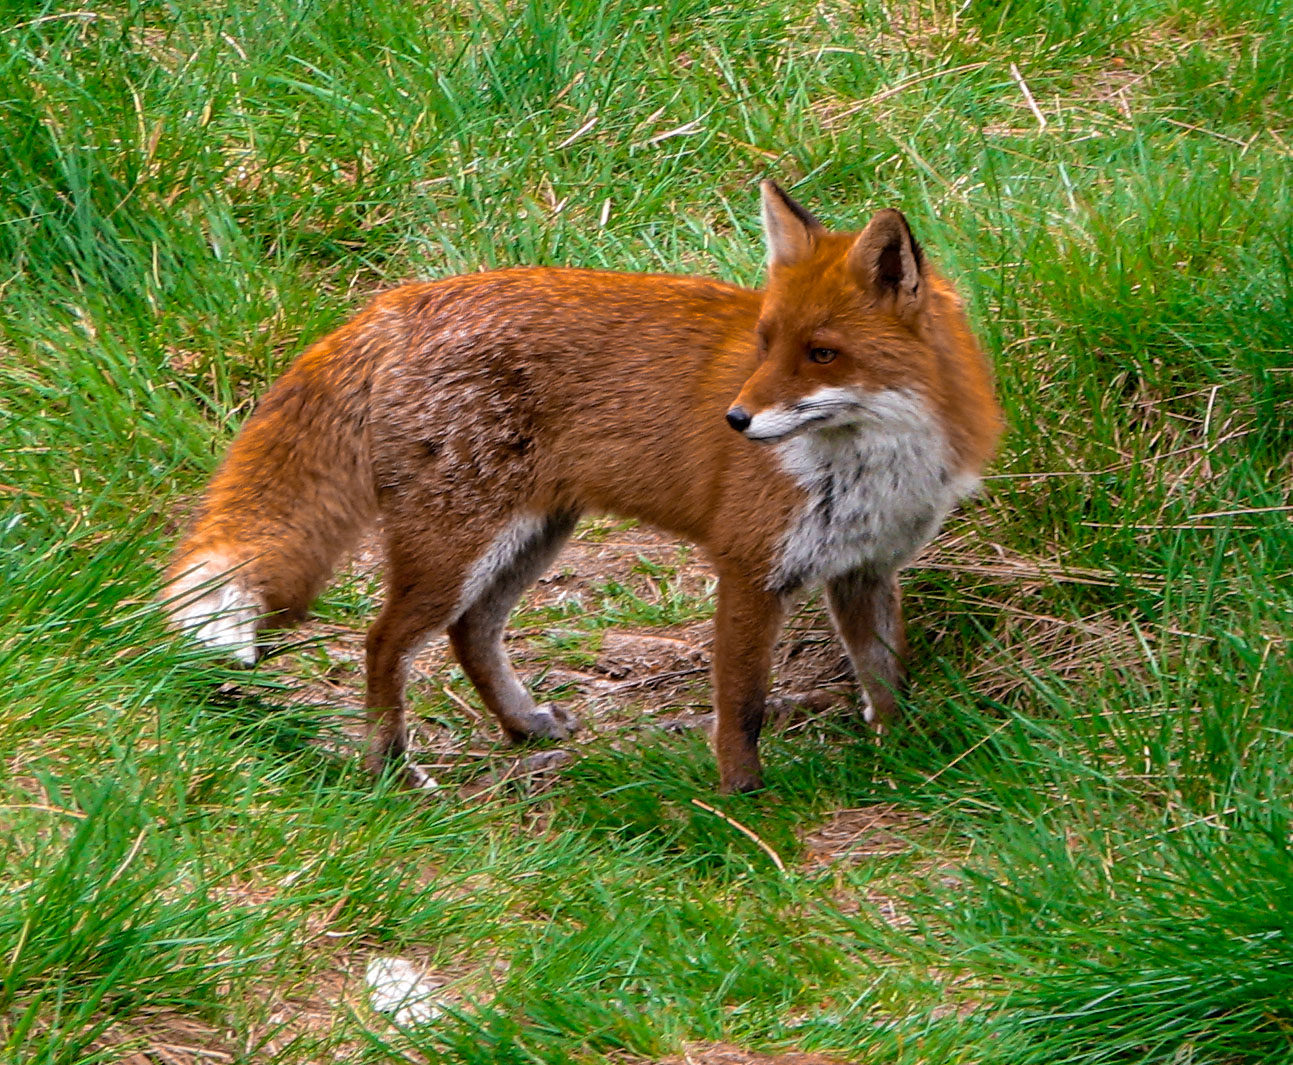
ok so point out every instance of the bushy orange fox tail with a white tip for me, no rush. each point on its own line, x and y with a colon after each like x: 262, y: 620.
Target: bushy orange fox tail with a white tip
x: 290, y: 500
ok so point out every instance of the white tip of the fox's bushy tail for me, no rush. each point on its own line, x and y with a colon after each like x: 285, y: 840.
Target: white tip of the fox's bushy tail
x: 215, y: 608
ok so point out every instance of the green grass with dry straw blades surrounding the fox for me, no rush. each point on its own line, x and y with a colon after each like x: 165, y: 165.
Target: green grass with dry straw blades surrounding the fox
x: 1096, y: 785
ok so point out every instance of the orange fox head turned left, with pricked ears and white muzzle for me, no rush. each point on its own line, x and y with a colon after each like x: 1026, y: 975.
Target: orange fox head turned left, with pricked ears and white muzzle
x: 840, y: 328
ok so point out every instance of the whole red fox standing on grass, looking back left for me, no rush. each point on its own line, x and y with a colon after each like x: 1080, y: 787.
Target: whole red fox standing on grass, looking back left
x: 817, y: 432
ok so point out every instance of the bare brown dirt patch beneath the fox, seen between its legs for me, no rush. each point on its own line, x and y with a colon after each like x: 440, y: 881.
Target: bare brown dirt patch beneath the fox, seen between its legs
x: 626, y: 677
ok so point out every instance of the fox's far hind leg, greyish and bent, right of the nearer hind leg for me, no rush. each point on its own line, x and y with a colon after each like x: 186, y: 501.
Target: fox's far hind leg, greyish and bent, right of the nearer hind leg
x: 478, y: 635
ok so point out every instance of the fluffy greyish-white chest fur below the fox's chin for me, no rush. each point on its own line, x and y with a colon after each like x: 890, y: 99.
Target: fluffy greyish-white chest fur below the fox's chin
x: 877, y: 490
